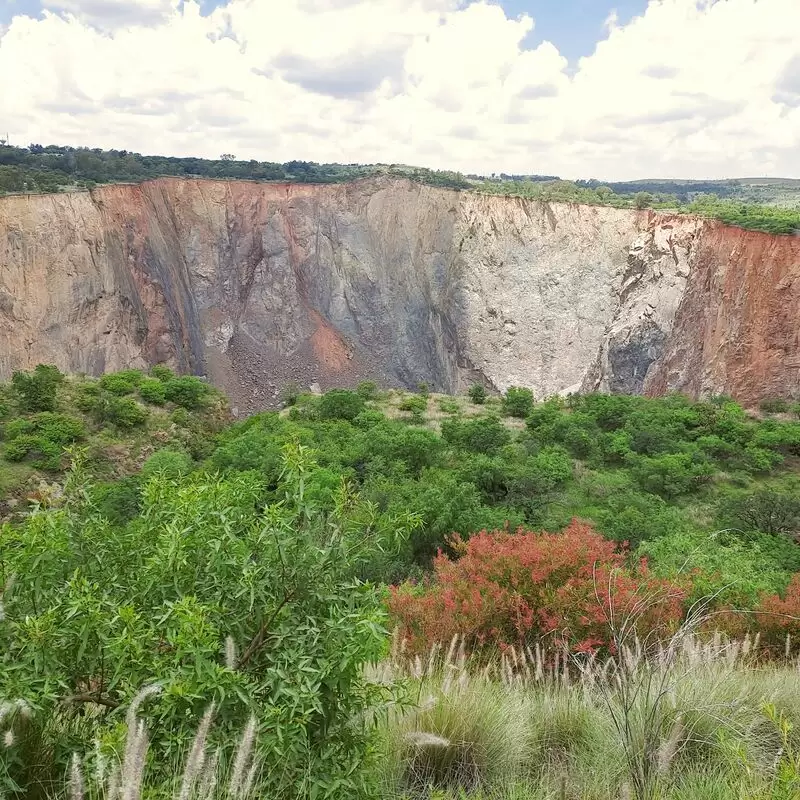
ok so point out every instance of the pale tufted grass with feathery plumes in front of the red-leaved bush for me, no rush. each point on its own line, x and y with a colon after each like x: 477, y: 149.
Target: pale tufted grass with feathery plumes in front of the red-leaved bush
x: 530, y: 725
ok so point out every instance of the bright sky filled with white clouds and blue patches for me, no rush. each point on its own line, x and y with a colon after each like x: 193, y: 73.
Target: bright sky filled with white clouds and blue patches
x: 612, y: 89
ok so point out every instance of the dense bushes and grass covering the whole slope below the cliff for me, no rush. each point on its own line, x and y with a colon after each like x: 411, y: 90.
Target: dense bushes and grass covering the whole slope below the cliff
x: 244, y: 570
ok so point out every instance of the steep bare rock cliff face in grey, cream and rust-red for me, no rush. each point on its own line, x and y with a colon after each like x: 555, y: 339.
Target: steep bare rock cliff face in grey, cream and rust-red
x: 256, y: 285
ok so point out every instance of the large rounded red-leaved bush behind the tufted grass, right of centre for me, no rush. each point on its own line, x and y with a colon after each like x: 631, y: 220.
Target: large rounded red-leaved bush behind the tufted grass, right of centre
x: 512, y: 588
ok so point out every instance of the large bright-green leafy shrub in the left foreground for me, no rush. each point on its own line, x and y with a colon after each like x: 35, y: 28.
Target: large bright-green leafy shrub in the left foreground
x: 157, y: 598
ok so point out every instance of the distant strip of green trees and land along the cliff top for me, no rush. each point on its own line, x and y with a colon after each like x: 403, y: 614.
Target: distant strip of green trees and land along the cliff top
x: 53, y: 168
